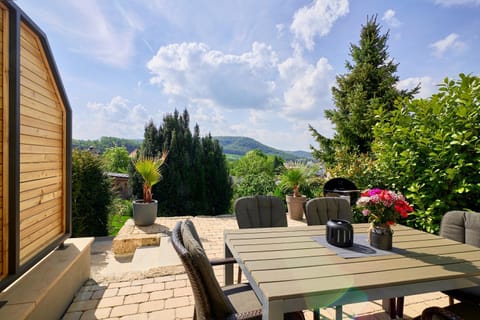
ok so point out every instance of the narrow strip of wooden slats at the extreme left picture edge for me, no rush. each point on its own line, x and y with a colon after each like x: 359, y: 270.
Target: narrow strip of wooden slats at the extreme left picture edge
x: 3, y: 108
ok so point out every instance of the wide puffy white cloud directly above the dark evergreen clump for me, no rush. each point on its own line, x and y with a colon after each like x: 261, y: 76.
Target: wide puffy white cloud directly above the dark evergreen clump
x: 193, y: 72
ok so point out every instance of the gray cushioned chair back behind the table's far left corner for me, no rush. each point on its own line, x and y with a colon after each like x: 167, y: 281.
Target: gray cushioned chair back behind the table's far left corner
x: 260, y: 212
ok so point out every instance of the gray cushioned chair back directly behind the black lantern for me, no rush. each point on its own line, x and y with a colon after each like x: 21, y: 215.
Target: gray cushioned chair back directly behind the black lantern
x: 319, y: 210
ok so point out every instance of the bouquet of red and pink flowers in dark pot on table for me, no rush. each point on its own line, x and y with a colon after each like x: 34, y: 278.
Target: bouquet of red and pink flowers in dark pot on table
x: 383, y: 208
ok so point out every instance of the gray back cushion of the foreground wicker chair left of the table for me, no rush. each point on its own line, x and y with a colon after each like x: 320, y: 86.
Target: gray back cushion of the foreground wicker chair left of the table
x: 220, y: 307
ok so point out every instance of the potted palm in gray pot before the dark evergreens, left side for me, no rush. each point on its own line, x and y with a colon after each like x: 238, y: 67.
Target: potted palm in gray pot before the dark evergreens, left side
x: 145, y: 210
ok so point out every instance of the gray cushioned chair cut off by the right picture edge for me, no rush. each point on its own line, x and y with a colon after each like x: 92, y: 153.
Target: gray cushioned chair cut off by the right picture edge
x: 462, y: 226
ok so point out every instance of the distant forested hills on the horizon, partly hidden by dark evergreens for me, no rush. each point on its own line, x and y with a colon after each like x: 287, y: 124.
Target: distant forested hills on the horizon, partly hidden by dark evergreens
x: 232, y: 146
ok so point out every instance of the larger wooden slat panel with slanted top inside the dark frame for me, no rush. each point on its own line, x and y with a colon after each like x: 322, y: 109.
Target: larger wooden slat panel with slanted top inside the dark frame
x: 42, y: 150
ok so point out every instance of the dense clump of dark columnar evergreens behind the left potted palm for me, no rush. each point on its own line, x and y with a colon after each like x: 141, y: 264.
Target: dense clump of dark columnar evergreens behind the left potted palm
x: 195, y: 176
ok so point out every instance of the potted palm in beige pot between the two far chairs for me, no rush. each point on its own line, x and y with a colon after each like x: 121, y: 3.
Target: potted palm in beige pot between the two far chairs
x: 291, y: 180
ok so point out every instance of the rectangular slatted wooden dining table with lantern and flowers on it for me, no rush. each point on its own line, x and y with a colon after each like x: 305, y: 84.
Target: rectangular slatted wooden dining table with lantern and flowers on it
x: 290, y: 271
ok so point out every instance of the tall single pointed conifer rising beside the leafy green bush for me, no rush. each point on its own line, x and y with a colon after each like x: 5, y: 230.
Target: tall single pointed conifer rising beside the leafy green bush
x: 365, y: 90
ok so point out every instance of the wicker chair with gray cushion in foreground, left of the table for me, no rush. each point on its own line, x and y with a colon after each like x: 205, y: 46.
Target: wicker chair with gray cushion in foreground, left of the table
x: 212, y: 301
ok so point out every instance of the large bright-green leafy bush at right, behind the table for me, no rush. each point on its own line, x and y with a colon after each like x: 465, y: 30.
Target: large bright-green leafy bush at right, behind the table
x: 429, y: 149
